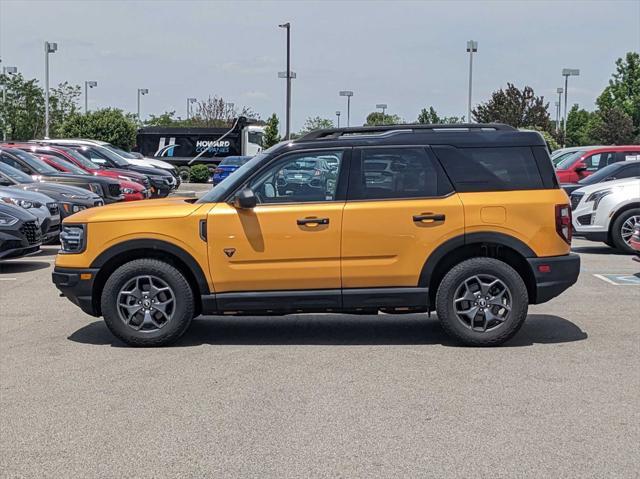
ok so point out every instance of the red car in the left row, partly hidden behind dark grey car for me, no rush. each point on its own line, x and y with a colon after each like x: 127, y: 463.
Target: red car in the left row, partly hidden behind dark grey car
x: 72, y: 156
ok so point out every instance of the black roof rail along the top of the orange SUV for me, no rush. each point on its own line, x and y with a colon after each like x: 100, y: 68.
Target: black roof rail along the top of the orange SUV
x: 332, y: 133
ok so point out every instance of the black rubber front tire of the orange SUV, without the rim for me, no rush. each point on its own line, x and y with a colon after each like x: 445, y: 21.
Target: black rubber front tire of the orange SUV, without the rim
x: 184, y: 299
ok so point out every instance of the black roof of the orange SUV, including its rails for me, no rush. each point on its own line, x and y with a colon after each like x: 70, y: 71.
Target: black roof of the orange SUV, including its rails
x: 462, y: 135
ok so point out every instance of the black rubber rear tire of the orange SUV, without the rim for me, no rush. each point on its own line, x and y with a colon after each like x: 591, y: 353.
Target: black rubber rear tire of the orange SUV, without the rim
x: 478, y: 266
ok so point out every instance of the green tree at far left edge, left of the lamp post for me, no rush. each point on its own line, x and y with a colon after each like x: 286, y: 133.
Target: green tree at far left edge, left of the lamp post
x: 22, y: 114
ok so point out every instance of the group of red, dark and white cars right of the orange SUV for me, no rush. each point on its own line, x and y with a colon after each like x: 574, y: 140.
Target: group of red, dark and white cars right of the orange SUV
x: 604, y: 185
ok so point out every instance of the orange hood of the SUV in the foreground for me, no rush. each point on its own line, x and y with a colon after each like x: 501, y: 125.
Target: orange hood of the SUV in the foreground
x: 175, y: 207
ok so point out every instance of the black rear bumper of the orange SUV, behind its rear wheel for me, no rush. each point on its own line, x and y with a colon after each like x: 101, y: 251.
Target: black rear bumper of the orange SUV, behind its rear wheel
x: 553, y: 275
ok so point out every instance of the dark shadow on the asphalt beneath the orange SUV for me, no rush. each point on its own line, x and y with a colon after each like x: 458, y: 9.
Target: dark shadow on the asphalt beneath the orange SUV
x: 337, y: 330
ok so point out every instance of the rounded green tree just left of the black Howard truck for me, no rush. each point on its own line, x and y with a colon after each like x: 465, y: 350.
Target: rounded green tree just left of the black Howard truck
x: 108, y: 124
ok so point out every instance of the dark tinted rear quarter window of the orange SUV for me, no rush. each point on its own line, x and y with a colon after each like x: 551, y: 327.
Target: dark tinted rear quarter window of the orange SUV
x: 487, y: 169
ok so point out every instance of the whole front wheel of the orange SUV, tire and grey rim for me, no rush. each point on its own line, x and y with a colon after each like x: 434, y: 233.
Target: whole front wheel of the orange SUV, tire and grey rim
x: 147, y: 302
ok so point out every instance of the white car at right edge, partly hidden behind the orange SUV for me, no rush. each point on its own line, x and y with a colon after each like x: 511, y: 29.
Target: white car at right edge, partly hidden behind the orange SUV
x: 607, y: 212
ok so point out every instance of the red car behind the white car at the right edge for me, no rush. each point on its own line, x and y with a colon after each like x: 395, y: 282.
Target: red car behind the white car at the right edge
x: 583, y: 163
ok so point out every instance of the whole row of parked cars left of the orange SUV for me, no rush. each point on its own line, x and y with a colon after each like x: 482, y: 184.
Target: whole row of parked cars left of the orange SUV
x: 42, y: 182
